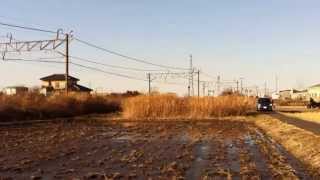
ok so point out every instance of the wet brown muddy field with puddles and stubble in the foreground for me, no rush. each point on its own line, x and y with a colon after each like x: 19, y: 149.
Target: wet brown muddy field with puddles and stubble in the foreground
x: 144, y: 150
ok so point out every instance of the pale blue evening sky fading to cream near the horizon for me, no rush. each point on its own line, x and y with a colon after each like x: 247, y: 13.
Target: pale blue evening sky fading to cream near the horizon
x: 253, y: 40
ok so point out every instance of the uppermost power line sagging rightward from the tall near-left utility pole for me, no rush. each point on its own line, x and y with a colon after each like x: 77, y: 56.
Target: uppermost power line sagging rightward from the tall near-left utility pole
x: 125, y: 56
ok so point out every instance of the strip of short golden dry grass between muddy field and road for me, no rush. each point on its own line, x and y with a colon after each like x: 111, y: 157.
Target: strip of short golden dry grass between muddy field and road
x: 301, y: 143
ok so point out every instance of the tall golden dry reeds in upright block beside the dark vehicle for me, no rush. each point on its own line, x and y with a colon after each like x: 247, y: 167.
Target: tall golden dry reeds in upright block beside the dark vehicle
x: 171, y: 106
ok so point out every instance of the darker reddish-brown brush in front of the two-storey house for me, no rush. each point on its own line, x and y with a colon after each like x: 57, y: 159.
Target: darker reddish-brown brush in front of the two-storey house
x: 35, y: 106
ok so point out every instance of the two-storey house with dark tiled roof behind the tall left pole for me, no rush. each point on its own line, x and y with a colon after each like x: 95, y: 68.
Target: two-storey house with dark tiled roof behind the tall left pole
x: 56, y: 83
